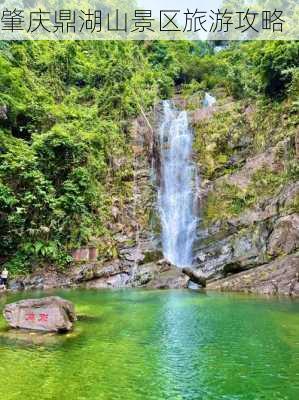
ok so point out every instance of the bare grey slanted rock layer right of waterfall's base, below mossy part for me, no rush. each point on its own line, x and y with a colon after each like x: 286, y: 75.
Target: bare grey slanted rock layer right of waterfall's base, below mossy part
x: 257, y: 236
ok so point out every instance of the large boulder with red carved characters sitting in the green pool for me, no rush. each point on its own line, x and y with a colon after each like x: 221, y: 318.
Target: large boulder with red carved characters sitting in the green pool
x: 50, y: 314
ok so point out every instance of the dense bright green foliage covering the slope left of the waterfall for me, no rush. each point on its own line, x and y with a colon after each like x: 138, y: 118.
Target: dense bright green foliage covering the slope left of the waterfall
x: 64, y: 143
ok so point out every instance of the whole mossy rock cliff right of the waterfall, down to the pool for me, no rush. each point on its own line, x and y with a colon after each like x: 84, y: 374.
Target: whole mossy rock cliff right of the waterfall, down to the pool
x: 248, y: 236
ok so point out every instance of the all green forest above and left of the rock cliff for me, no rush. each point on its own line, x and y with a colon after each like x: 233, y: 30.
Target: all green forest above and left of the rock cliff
x: 65, y: 115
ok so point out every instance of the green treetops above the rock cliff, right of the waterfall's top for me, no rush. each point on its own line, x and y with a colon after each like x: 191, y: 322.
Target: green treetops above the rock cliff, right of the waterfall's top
x: 249, y: 69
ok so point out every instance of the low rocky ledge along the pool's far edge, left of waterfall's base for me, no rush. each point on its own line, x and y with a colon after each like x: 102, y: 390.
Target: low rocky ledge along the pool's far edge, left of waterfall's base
x: 114, y: 275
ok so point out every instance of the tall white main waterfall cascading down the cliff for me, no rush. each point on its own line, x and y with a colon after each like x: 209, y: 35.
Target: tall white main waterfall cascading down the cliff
x: 178, y: 186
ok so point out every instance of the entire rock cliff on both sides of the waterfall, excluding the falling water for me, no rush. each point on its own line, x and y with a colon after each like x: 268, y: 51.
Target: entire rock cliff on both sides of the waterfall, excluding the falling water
x: 248, y: 231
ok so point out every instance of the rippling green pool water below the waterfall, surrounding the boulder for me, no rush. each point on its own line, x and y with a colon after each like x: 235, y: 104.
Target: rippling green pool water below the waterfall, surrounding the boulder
x: 153, y: 345
